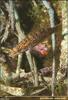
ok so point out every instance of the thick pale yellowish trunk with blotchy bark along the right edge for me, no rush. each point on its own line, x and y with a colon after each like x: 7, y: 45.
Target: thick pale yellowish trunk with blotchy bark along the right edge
x: 64, y: 48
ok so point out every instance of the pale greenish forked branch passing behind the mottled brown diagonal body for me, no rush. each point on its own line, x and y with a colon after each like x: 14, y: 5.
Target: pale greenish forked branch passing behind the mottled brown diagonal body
x: 21, y: 36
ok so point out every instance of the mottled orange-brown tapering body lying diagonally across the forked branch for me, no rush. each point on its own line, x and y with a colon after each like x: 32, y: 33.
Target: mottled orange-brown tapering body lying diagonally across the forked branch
x: 31, y: 40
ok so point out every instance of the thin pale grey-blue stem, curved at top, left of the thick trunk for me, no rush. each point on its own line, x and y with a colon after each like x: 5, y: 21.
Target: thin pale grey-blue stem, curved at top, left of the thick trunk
x: 51, y: 13
